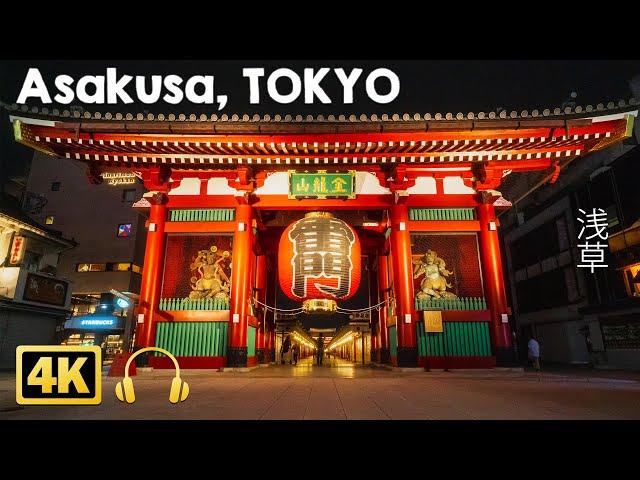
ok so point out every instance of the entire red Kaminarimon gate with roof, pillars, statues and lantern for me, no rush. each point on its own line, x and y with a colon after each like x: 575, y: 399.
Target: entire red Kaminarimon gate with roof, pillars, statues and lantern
x: 419, y: 195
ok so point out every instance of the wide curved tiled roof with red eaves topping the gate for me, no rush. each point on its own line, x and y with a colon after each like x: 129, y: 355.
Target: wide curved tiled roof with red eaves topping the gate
x: 202, y: 142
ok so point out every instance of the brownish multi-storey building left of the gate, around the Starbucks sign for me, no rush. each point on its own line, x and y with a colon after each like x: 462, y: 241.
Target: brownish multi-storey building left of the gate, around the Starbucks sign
x: 110, y: 239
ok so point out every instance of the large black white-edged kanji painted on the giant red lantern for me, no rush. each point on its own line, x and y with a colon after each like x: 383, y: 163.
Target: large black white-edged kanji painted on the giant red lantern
x: 322, y: 248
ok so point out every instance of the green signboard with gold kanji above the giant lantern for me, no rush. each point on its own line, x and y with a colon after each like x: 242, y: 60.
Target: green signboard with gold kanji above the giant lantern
x: 322, y: 184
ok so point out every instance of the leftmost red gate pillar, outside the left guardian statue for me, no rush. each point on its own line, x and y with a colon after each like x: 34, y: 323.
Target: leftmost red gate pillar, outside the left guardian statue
x: 152, y: 272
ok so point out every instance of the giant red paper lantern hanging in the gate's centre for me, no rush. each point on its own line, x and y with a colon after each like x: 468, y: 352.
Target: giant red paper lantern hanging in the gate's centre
x: 319, y: 261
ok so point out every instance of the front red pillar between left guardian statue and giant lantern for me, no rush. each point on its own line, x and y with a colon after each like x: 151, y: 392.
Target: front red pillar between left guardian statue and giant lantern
x: 240, y: 287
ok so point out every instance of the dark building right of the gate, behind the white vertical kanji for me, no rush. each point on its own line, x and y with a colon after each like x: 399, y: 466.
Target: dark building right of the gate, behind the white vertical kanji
x: 579, y: 316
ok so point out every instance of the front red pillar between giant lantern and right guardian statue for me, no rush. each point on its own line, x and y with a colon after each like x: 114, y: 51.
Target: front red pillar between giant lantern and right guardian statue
x: 403, y: 285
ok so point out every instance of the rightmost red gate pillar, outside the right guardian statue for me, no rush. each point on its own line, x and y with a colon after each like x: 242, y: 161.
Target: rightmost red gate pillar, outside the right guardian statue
x: 491, y: 265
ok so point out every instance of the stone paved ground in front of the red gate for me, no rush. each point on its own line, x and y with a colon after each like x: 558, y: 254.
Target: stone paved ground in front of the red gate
x: 342, y: 391
